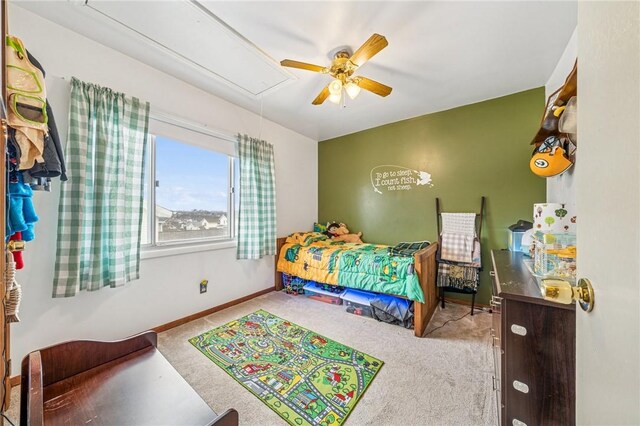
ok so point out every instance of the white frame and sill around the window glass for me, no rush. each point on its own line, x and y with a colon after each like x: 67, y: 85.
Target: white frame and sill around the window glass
x: 156, y: 248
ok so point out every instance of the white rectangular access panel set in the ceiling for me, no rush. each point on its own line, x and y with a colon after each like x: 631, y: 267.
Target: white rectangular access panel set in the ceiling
x: 196, y: 37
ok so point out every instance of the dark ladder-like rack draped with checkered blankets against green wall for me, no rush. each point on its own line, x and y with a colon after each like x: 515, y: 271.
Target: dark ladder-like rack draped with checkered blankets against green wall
x: 465, y: 273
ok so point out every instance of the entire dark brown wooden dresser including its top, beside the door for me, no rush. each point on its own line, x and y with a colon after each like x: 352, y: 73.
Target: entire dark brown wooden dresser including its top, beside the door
x: 533, y: 348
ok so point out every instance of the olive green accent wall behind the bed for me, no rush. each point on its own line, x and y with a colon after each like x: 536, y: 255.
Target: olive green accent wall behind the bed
x: 470, y: 151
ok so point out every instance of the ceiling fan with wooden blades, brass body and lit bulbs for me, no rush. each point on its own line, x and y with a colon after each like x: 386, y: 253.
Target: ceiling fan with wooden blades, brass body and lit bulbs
x: 342, y: 69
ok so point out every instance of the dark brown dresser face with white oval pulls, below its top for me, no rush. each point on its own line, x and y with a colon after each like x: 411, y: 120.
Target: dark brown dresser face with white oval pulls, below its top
x: 539, y: 364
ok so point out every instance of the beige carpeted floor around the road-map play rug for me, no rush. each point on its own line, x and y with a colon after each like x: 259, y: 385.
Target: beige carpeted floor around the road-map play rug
x: 443, y: 379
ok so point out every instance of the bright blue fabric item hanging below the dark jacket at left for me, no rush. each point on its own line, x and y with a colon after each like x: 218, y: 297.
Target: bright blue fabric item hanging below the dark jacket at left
x: 21, y: 214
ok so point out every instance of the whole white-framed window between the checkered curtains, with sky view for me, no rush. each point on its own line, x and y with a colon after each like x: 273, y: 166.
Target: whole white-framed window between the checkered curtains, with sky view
x: 189, y: 189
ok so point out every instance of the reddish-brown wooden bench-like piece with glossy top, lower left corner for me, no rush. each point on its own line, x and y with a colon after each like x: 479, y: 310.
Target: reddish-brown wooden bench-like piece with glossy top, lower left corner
x: 125, y: 382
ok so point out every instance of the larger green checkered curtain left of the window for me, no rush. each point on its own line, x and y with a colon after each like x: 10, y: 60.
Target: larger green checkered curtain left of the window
x: 100, y: 212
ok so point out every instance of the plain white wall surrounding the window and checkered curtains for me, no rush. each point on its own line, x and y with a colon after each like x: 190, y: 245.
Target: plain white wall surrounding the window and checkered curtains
x: 168, y: 287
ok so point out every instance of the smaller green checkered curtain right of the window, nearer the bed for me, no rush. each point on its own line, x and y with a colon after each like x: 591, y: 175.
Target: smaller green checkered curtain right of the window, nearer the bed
x: 257, y: 215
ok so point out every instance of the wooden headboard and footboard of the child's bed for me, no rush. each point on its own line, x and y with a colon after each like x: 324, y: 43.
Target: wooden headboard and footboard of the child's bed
x: 426, y: 267
